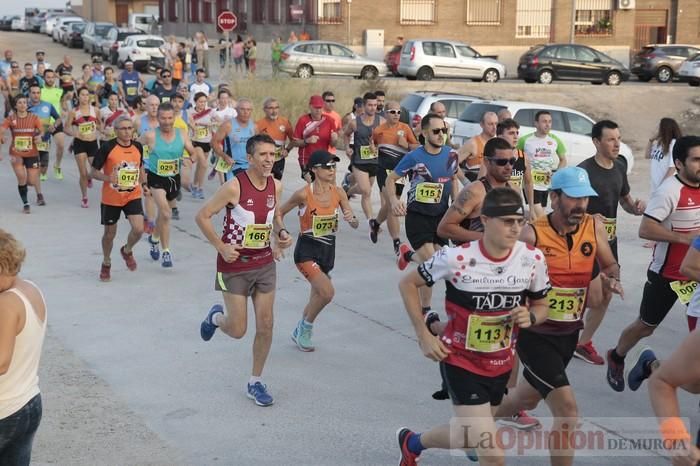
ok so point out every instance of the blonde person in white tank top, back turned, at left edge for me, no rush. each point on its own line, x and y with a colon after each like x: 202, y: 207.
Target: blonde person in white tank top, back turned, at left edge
x: 24, y: 315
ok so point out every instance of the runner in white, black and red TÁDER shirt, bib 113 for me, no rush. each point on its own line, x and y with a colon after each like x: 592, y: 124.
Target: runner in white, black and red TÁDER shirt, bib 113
x: 486, y: 314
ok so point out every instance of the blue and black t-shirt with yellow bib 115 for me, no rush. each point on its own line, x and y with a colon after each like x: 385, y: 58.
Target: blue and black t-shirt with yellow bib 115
x: 431, y: 179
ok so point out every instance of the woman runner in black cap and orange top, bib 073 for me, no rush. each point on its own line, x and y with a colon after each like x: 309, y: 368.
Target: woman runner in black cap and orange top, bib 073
x: 314, y: 254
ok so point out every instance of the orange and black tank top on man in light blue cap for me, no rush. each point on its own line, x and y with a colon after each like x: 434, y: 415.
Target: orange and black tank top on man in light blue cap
x: 570, y: 260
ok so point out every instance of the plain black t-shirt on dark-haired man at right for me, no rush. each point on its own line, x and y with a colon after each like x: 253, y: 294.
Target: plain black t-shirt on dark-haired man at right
x: 610, y: 183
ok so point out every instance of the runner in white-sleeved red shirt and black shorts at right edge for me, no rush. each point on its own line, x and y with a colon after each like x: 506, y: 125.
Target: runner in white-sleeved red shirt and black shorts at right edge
x: 672, y: 219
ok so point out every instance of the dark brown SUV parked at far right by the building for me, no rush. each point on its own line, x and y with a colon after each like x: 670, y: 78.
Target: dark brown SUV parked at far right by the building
x: 661, y: 61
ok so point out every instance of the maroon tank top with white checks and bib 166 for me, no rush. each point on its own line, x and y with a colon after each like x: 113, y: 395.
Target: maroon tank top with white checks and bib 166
x: 249, y: 224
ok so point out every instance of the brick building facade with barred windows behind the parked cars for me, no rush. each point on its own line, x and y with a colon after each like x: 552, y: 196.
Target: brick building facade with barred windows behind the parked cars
x: 601, y: 23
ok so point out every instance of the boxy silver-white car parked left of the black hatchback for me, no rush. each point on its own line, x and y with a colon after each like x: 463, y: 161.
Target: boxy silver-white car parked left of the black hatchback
x: 425, y: 59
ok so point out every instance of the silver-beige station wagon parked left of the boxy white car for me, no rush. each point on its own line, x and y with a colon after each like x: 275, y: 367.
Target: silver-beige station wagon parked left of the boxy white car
x: 308, y: 58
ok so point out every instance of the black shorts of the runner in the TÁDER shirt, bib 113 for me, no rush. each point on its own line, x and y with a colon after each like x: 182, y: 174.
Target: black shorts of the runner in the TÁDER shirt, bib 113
x: 469, y: 389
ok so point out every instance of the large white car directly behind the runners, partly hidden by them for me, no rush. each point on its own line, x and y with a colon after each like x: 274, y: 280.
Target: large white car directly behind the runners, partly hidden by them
x: 573, y: 127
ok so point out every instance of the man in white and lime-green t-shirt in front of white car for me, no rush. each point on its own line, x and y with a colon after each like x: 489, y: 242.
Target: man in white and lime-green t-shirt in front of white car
x: 546, y: 153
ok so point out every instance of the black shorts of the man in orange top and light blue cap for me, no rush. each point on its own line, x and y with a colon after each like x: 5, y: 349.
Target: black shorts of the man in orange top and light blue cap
x: 544, y: 359
